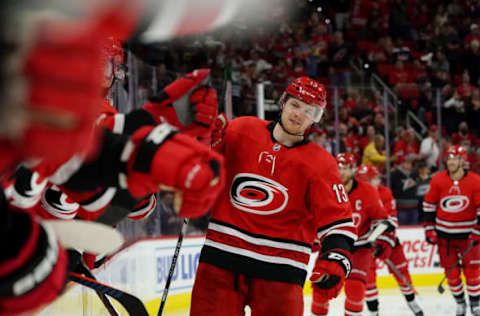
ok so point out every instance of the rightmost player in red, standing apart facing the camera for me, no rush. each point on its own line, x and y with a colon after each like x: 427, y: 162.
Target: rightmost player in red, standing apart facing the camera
x: 452, y: 221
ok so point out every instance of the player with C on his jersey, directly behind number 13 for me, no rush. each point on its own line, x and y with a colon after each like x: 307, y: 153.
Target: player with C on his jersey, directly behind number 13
x: 368, y: 211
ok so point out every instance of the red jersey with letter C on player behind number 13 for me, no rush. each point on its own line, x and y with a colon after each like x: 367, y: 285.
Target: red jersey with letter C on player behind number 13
x: 367, y: 209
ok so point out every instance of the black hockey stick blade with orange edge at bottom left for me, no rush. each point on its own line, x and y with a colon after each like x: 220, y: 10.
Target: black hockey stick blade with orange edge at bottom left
x: 132, y: 304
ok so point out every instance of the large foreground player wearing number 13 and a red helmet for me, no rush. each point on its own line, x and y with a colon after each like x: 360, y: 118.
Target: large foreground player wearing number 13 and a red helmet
x: 282, y: 192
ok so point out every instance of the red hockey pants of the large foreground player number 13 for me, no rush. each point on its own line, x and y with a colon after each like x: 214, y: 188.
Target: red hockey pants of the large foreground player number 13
x: 220, y: 292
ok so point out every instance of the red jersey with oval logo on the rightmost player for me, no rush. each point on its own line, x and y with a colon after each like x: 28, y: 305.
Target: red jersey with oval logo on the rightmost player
x: 453, y: 207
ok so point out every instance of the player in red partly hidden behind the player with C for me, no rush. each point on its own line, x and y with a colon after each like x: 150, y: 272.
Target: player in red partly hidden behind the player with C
x: 369, y: 173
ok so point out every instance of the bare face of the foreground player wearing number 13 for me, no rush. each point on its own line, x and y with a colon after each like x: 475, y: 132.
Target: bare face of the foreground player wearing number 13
x: 294, y: 119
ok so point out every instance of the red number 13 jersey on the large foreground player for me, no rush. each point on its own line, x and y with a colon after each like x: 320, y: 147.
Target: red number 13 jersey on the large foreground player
x: 277, y: 200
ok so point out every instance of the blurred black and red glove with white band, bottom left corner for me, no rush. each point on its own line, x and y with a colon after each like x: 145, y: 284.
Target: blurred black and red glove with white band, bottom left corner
x: 33, y: 264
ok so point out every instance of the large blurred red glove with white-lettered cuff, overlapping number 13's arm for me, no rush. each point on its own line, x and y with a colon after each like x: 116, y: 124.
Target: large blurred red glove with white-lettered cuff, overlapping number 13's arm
x: 161, y: 157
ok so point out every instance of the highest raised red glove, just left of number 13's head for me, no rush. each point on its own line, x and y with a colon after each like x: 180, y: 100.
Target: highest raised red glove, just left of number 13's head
x: 199, y: 104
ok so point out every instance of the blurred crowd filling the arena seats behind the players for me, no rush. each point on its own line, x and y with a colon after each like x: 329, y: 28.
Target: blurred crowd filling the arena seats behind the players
x: 418, y: 48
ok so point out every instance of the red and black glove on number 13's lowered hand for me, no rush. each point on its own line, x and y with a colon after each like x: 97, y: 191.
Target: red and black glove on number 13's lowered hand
x: 330, y: 271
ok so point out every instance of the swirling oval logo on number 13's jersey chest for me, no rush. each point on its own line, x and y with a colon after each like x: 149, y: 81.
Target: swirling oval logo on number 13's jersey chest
x: 256, y: 194
